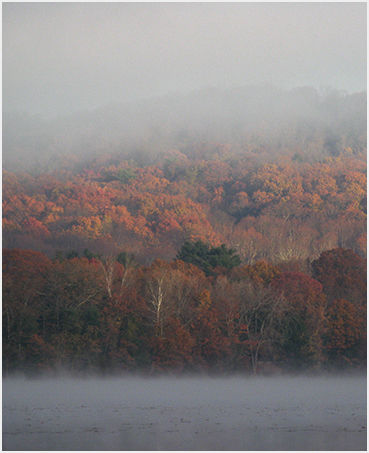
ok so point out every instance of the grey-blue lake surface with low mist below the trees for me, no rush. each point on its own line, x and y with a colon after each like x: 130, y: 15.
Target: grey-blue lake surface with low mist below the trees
x: 197, y: 413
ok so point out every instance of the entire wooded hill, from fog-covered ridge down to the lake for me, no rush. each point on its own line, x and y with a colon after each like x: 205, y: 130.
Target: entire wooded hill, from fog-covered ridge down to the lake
x: 197, y: 242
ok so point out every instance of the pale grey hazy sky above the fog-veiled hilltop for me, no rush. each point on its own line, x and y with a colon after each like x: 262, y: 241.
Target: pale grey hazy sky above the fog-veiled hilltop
x: 63, y: 57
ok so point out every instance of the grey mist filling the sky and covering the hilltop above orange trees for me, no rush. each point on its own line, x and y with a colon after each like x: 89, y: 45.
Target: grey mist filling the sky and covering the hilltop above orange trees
x: 84, y: 79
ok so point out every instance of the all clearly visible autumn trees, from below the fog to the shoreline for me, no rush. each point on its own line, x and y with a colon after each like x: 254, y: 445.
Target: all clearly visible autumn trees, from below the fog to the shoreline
x: 206, y: 258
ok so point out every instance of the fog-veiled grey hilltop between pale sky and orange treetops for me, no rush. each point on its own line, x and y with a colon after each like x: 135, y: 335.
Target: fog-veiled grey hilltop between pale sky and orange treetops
x: 261, y: 115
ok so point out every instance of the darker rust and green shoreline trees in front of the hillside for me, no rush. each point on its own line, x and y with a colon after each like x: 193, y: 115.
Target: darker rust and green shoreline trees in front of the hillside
x: 110, y: 314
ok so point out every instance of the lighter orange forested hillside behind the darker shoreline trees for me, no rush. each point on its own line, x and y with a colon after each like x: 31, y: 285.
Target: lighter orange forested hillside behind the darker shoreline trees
x: 279, y: 211
